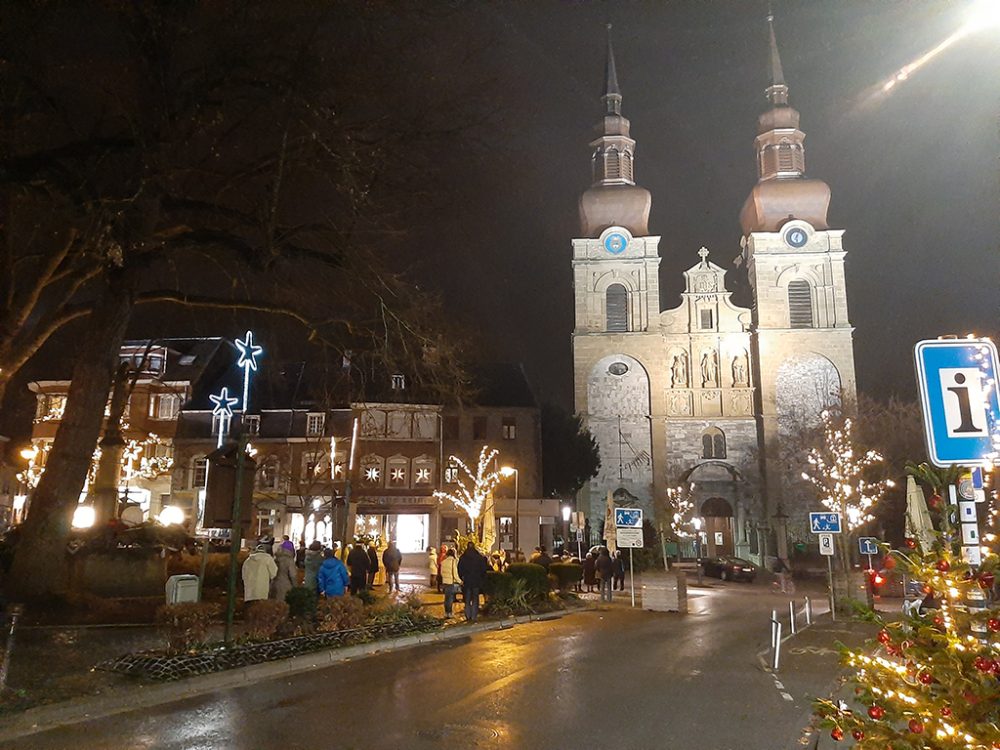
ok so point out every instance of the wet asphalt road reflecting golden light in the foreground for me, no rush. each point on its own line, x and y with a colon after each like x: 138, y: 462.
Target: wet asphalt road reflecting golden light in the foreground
x: 629, y: 678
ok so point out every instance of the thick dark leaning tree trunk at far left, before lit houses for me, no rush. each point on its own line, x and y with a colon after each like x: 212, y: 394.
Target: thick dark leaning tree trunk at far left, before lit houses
x: 40, y: 563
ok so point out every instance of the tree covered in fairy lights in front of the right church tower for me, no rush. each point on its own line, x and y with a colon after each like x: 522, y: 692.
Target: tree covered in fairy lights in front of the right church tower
x: 839, y: 471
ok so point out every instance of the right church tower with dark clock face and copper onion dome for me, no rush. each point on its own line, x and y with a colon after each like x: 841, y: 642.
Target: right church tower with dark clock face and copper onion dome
x: 801, y: 337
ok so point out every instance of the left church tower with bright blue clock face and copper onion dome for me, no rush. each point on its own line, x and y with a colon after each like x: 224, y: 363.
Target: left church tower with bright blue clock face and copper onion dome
x: 618, y: 356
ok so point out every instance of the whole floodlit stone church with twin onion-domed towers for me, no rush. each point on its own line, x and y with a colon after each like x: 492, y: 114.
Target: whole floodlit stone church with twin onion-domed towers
x: 706, y: 398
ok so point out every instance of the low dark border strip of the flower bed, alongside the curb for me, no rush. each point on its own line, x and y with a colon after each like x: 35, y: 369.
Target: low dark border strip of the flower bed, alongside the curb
x: 161, y: 666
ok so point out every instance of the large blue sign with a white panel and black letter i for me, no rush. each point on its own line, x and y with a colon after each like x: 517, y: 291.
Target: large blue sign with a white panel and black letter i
x: 958, y: 397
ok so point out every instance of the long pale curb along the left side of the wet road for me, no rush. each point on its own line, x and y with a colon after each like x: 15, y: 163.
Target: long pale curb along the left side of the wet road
x: 127, y: 698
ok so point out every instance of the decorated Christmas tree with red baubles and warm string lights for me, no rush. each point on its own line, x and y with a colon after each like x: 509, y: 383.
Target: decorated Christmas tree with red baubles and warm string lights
x: 930, y: 680
